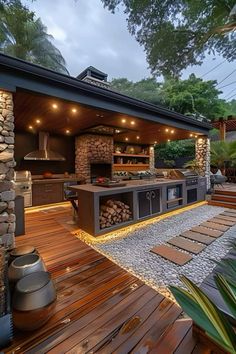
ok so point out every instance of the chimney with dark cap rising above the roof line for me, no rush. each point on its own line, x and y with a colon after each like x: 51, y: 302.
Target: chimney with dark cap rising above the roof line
x: 94, y: 76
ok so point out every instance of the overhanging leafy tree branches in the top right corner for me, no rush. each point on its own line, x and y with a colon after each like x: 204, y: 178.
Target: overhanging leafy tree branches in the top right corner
x: 176, y: 34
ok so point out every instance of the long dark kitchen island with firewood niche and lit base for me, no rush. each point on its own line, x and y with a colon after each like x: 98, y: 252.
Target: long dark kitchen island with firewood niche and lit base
x: 102, y: 210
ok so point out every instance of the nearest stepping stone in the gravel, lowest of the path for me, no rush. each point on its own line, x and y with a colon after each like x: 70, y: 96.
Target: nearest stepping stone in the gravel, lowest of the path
x: 171, y: 254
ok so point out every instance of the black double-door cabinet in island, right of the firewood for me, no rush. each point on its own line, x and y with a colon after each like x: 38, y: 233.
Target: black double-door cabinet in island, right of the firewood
x: 148, y: 202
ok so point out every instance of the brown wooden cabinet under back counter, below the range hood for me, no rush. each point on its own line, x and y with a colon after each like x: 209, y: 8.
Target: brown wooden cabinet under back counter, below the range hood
x: 47, y: 193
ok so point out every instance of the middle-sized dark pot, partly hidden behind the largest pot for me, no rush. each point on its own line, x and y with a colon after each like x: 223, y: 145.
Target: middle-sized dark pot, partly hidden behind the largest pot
x: 25, y: 265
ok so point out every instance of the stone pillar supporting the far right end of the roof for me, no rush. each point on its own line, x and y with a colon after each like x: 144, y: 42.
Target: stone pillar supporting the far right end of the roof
x: 202, y: 154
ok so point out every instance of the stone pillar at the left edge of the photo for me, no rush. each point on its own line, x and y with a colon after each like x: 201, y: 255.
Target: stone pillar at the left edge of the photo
x: 7, y: 164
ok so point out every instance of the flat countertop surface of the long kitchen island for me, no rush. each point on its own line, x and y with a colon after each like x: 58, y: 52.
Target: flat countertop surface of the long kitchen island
x: 142, y: 184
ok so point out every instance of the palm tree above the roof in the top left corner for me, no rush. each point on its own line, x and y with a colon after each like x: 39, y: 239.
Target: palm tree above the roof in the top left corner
x: 23, y: 36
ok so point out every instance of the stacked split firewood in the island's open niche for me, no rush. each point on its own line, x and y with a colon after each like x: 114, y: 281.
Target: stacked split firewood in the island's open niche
x: 114, y: 212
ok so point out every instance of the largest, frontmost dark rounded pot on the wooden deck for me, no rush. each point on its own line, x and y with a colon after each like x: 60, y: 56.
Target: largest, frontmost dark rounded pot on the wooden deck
x: 34, y: 301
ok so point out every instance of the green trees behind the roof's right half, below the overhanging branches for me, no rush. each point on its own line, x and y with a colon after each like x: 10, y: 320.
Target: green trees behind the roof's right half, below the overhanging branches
x: 192, y: 96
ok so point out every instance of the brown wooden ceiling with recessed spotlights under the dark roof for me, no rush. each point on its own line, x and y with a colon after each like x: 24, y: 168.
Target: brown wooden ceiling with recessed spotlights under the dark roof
x: 44, y: 113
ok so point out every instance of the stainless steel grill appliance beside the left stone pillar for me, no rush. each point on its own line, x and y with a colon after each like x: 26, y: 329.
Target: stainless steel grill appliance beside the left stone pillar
x: 23, y: 186
